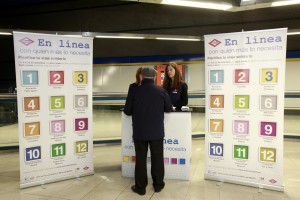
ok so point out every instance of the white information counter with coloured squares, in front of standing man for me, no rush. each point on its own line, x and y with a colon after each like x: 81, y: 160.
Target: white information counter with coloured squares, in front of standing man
x: 177, y: 146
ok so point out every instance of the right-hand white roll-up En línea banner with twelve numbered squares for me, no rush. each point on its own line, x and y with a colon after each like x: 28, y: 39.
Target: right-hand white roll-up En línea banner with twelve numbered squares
x: 244, y: 123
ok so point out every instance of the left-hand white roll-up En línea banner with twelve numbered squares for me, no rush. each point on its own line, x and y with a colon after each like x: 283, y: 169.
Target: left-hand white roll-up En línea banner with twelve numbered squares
x: 54, y: 85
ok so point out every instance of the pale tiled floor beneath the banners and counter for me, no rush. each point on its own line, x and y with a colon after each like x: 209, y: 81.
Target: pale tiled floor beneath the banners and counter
x: 108, y: 183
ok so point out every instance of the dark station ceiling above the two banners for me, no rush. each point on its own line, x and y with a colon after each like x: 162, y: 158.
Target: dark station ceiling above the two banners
x: 133, y: 16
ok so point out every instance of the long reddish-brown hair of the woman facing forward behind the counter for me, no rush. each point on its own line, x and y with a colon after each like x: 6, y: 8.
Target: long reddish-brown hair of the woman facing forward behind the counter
x: 167, y: 84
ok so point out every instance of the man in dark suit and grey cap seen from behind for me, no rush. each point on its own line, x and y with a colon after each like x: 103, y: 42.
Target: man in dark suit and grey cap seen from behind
x: 147, y: 104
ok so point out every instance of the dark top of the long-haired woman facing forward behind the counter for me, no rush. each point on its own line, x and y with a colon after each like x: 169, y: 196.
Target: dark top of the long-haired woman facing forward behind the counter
x: 179, y: 97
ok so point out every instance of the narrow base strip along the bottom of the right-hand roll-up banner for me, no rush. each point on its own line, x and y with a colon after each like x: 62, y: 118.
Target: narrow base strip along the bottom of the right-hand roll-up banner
x: 259, y: 186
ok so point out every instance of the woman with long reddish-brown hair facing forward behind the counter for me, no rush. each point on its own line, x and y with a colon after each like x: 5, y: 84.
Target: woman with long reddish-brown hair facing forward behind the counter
x: 175, y: 85
